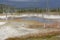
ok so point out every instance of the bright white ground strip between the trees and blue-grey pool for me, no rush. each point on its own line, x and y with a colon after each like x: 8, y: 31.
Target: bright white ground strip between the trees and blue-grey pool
x: 47, y: 16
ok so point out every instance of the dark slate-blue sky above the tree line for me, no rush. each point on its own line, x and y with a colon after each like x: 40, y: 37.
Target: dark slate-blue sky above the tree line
x: 32, y: 3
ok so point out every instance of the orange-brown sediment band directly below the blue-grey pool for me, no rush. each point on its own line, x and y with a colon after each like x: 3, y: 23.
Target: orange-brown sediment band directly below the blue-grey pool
x: 36, y: 24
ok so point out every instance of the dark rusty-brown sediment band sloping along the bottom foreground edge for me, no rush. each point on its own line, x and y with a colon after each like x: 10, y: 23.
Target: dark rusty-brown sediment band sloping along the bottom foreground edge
x: 36, y: 35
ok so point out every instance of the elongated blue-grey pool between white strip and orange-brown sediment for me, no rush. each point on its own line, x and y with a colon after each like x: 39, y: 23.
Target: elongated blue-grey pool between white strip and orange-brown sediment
x: 43, y: 20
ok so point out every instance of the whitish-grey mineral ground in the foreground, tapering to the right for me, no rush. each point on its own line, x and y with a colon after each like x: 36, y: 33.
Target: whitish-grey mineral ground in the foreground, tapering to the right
x: 14, y: 30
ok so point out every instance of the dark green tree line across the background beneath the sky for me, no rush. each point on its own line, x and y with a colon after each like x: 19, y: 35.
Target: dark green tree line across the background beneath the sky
x: 34, y: 10
